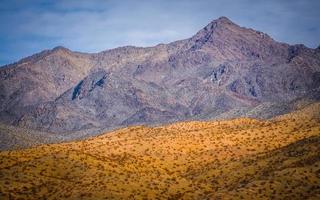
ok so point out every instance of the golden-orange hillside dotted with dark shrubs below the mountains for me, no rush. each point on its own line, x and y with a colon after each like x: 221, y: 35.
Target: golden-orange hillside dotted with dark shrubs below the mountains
x: 235, y: 159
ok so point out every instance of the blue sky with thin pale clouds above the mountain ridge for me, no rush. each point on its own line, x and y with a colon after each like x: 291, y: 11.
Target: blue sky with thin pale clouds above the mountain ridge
x: 30, y: 26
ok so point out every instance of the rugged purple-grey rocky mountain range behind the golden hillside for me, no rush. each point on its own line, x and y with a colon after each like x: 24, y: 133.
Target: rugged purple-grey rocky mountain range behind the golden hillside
x: 223, y: 69
